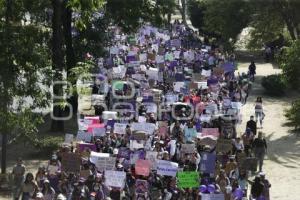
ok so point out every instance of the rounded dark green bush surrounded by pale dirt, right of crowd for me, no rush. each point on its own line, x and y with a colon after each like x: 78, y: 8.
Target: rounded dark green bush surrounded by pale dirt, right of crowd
x: 274, y: 84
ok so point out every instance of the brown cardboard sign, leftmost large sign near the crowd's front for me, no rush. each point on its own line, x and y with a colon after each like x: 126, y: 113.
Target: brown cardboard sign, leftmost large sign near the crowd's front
x: 71, y: 162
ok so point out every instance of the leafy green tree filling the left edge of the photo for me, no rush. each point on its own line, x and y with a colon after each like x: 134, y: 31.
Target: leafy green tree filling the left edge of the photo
x: 24, y: 69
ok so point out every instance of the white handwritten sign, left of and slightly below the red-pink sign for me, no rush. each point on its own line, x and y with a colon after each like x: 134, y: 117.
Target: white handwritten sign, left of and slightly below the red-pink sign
x: 115, y: 178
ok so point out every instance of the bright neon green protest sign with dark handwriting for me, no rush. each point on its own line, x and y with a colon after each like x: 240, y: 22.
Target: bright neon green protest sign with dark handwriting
x: 188, y: 179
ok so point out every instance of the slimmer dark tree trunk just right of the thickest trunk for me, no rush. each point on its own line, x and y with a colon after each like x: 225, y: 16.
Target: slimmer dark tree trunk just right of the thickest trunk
x: 70, y: 55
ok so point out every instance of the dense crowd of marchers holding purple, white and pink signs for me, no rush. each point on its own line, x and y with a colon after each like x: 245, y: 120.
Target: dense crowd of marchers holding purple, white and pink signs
x: 173, y: 155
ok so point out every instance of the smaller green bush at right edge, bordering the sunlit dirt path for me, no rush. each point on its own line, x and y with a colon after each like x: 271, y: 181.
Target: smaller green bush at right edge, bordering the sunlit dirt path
x: 293, y: 114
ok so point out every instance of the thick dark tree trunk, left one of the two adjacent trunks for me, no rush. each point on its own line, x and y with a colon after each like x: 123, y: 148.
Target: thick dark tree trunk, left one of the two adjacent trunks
x: 57, y: 66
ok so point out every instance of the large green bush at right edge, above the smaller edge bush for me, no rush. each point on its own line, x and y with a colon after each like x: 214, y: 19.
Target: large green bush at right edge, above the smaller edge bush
x: 289, y: 62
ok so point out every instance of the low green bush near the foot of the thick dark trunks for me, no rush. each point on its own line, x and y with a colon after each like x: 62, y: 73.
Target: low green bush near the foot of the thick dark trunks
x: 49, y: 144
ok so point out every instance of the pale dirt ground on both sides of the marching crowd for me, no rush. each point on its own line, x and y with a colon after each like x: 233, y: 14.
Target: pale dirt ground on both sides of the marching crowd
x: 282, y: 164
